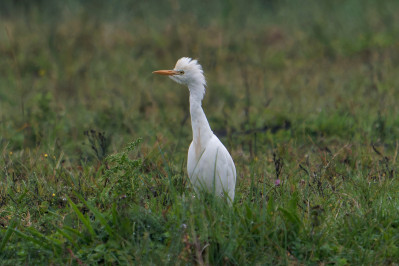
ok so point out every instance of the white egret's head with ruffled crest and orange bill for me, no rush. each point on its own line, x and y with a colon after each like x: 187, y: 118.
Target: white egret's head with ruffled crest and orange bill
x: 187, y: 71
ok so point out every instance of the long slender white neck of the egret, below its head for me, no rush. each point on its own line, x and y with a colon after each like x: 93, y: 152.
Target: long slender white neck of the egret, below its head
x: 202, y: 132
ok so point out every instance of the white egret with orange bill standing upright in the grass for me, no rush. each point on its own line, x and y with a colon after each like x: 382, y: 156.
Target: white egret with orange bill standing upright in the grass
x: 209, y: 164
